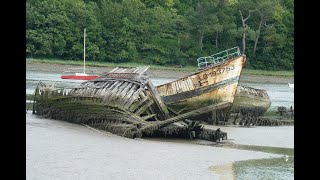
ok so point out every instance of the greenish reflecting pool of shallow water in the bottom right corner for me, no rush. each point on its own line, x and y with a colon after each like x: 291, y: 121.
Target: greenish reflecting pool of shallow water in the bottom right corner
x: 274, y: 168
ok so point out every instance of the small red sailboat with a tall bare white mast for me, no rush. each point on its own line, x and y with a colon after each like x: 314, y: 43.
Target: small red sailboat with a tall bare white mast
x: 82, y: 75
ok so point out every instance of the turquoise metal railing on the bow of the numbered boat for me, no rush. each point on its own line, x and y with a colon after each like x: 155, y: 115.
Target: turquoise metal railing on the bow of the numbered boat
x: 217, y: 58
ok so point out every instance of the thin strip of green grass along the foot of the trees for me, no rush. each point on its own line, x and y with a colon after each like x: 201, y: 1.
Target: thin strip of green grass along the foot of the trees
x: 155, y: 67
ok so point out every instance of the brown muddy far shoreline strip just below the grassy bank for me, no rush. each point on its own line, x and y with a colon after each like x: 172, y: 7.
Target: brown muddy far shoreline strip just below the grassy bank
x: 59, y: 68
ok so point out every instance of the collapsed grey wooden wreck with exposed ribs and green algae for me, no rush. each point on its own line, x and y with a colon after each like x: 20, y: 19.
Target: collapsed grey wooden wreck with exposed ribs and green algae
x: 124, y: 102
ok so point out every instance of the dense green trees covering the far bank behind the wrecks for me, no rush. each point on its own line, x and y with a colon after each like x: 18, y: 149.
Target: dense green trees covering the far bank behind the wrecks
x: 164, y: 32
